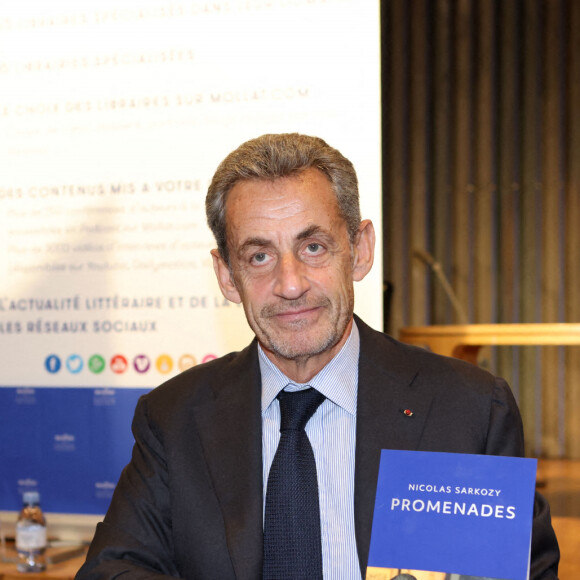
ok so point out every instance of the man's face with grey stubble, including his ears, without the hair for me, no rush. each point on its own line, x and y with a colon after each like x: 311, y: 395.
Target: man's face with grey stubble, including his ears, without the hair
x: 292, y: 265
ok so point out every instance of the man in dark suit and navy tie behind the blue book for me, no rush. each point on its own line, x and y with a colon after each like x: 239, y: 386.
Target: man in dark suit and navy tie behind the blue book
x: 196, y: 499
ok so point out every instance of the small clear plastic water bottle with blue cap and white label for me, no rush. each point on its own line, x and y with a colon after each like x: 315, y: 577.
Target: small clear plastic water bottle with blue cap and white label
x: 31, y: 535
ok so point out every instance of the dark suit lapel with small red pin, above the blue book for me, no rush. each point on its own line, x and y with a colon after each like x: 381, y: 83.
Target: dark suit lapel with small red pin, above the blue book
x: 385, y: 392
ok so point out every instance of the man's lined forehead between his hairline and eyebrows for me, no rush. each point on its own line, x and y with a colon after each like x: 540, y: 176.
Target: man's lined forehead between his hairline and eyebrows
x: 282, y: 204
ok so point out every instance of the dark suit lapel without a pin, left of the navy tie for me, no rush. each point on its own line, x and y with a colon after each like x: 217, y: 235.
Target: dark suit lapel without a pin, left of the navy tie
x: 231, y: 433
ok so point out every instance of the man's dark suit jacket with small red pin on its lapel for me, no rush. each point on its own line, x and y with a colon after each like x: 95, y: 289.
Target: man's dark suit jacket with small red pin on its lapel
x: 189, y: 503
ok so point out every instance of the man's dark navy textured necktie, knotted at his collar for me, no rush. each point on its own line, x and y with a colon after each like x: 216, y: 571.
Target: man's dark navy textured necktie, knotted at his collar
x: 292, y: 545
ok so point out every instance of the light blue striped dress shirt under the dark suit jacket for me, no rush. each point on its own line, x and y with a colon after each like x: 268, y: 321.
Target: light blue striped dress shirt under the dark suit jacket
x: 332, y: 434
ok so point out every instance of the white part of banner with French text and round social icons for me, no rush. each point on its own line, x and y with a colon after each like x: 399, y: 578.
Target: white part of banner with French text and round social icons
x: 113, y: 118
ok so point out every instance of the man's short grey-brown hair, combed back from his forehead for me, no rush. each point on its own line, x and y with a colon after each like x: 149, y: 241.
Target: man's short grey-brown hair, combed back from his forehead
x: 281, y: 155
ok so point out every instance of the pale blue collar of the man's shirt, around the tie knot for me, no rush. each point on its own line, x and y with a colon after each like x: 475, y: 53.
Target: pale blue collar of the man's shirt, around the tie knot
x: 337, y: 381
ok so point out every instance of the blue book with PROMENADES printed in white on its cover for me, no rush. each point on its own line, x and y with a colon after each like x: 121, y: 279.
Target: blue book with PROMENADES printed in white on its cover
x: 456, y: 514
